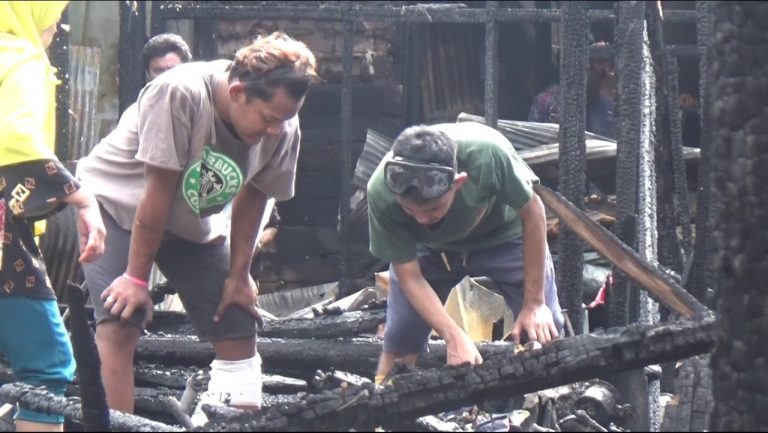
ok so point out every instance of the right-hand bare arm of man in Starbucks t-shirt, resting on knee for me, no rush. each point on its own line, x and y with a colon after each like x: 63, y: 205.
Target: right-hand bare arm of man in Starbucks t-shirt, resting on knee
x: 240, y: 288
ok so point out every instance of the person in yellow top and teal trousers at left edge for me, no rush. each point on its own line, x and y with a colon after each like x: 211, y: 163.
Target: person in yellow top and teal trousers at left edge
x: 33, y: 185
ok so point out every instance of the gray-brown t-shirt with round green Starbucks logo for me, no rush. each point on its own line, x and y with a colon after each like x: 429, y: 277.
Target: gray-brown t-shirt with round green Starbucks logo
x: 174, y: 126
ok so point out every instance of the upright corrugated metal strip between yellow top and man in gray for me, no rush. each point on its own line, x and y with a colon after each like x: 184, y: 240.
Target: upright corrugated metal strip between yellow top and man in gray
x: 83, y: 88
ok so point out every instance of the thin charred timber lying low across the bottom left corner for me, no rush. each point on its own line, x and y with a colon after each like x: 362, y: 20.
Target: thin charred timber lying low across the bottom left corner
x: 41, y: 400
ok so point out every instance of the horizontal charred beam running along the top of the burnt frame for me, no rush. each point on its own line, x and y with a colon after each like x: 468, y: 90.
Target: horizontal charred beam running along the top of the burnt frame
x: 421, y: 13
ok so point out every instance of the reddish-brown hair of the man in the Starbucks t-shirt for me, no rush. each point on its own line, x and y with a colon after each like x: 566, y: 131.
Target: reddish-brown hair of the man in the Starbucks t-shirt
x: 272, y: 62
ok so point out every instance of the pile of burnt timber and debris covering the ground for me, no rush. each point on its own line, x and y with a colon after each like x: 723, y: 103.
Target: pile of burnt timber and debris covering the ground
x: 318, y: 363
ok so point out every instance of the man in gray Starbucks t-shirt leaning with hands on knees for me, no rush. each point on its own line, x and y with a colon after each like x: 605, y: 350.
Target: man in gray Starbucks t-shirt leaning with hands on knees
x: 204, y: 134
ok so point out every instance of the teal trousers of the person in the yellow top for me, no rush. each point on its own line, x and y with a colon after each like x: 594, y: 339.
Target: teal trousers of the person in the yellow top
x: 34, y: 341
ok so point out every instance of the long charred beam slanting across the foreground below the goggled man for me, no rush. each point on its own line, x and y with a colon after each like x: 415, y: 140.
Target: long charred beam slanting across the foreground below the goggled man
x: 412, y: 395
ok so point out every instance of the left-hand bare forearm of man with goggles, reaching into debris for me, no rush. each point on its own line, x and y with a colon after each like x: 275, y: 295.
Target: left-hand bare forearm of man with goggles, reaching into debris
x: 460, y: 347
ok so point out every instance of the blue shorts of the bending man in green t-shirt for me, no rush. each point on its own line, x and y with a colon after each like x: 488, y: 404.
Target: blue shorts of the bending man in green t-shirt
x: 407, y: 332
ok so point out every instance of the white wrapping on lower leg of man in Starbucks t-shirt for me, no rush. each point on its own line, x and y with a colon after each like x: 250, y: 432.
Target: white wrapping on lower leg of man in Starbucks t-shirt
x: 236, y: 383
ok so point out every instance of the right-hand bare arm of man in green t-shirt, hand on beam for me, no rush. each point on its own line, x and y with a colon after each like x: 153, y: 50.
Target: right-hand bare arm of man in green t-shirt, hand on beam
x: 535, y: 317
